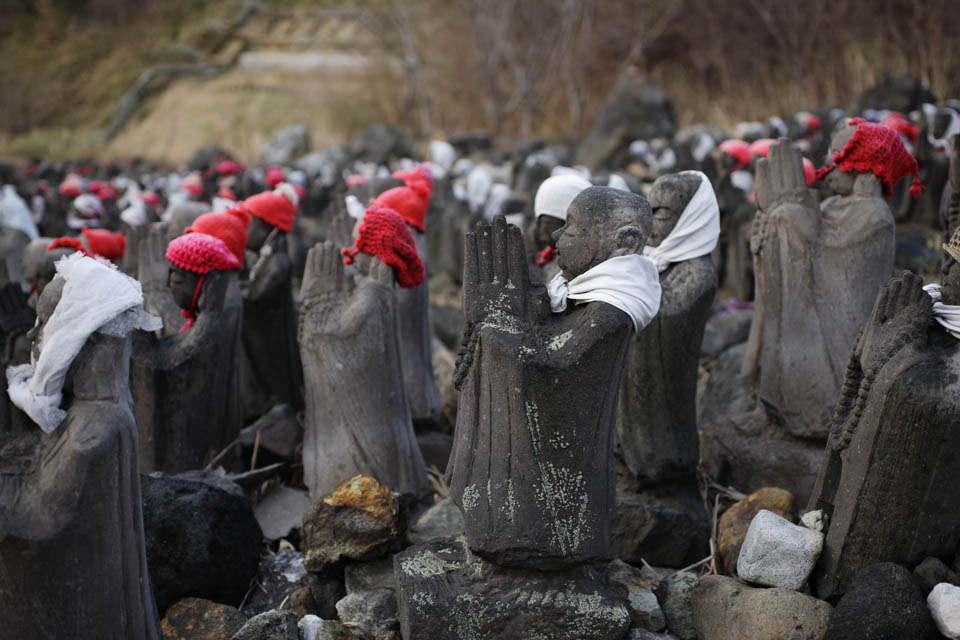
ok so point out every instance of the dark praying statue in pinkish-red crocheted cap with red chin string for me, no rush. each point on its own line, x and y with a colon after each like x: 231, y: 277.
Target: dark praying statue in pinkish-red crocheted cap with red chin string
x: 186, y: 387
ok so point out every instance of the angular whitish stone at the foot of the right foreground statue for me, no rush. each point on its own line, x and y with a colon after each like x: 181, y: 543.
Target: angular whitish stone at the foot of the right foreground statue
x: 778, y: 553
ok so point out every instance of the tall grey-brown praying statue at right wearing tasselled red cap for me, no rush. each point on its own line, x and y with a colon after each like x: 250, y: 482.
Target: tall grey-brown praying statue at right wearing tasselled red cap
x: 817, y: 271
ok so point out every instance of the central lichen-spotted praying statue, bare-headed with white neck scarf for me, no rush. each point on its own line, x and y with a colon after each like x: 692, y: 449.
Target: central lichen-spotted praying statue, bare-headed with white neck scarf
x: 532, y: 464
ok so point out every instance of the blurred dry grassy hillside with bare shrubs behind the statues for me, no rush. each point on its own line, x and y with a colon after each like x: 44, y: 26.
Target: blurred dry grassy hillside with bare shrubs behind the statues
x: 161, y: 78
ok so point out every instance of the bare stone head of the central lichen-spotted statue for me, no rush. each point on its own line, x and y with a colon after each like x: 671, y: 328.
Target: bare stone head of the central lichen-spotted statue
x: 602, y: 223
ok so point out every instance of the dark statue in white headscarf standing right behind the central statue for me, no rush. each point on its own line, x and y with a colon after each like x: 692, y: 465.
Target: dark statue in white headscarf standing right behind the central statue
x: 657, y: 420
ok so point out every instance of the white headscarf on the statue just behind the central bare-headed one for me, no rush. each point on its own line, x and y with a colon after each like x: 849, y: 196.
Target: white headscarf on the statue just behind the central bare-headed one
x: 696, y: 232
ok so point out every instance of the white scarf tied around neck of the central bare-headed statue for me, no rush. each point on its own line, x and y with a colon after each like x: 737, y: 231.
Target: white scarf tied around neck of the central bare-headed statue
x: 629, y: 283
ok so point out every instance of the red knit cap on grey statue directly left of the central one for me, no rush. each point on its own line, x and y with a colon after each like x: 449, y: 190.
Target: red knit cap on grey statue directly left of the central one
x: 384, y: 234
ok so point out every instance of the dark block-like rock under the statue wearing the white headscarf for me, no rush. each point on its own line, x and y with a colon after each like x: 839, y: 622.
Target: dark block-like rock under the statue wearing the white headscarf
x: 666, y: 526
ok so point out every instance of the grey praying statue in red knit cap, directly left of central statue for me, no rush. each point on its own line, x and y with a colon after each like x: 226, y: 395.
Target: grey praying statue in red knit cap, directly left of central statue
x: 357, y: 418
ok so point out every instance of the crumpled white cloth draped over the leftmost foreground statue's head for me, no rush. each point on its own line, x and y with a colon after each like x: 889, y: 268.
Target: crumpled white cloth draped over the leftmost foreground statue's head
x: 96, y: 297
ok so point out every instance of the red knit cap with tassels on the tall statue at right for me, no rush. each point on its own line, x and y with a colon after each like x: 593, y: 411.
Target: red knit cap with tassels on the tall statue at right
x: 878, y: 149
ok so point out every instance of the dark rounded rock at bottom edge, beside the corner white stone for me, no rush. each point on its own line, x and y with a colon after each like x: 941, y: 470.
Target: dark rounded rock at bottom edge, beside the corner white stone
x: 882, y: 603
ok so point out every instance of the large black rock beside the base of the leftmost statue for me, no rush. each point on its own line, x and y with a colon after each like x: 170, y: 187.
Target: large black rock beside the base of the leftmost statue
x: 202, y: 538
